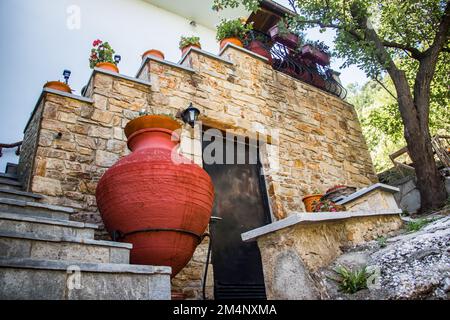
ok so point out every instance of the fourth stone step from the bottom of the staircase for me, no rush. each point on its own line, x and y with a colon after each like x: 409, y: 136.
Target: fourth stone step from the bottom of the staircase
x: 35, y: 209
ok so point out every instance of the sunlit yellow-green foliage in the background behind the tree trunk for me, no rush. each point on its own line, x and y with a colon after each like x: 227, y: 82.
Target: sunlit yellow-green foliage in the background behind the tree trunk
x: 380, y: 118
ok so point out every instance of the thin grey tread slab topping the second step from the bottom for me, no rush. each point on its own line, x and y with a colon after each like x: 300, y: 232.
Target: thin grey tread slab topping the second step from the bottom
x: 48, y: 238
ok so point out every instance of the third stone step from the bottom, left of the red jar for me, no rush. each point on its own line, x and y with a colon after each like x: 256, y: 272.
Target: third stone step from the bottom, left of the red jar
x: 54, y: 227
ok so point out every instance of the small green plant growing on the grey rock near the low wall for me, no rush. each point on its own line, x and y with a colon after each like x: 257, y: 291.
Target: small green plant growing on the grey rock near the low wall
x: 352, y: 281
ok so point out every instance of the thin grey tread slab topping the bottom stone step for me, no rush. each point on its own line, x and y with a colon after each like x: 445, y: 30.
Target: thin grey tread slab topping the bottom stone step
x: 86, y: 267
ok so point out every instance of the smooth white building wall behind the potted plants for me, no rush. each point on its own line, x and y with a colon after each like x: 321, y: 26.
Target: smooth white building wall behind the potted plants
x: 37, y: 45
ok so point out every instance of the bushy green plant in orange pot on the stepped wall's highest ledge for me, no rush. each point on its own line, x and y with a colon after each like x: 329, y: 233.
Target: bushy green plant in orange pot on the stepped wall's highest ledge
x: 232, y: 31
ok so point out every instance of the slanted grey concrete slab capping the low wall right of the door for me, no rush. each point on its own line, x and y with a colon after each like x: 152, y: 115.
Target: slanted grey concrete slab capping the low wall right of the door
x: 309, y: 218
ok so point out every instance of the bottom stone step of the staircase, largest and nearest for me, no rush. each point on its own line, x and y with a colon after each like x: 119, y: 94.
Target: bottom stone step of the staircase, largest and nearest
x: 28, y: 279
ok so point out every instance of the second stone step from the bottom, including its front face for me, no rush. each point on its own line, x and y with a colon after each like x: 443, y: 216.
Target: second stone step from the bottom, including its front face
x: 40, y: 246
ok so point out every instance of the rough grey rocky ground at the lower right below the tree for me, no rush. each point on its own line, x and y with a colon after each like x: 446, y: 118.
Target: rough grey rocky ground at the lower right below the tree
x: 412, y: 265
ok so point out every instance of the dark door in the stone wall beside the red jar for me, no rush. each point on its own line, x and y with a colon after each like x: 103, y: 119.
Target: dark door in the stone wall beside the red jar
x: 240, y: 200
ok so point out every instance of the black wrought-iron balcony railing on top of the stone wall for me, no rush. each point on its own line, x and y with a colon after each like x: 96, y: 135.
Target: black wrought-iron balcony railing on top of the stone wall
x: 291, y: 62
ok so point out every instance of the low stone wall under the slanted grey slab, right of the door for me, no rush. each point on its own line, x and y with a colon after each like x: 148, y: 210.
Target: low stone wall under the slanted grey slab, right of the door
x: 292, y: 256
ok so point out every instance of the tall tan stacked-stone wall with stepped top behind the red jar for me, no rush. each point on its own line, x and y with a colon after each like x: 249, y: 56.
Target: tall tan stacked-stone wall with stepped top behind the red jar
x: 320, y: 142
